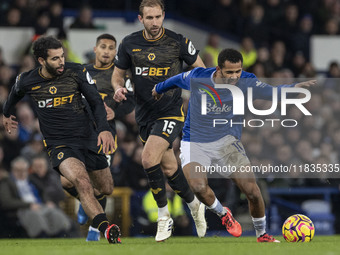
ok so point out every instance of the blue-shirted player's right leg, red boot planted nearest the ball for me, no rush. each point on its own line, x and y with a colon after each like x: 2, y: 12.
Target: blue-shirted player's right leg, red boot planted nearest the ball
x: 247, y: 184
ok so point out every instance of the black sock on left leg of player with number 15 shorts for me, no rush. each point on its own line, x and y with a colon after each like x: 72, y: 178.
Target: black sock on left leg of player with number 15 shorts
x: 157, y: 184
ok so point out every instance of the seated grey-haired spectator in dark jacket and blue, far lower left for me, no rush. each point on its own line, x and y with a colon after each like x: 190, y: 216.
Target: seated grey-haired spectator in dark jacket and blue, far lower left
x: 21, y: 197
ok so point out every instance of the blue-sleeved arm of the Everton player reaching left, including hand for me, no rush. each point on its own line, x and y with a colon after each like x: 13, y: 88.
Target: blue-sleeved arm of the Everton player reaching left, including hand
x: 181, y: 80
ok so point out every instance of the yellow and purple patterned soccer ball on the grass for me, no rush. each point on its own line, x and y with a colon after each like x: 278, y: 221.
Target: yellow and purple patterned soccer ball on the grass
x: 298, y: 228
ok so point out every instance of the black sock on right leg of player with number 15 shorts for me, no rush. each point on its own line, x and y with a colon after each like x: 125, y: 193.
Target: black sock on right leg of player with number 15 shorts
x: 180, y: 185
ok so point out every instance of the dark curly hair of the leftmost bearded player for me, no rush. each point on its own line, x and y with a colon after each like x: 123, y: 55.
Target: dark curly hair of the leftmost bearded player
x: 43, y: 44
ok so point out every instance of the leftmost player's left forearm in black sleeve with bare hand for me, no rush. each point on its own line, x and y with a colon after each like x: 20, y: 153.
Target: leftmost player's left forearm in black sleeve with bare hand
x: 16, y: 94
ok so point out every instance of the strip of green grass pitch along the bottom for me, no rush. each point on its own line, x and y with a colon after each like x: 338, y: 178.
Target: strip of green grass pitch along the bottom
x: 325, y: 245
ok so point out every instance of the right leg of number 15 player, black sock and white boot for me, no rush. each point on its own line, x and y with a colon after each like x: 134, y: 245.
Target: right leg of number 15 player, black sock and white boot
x: 179, y: 184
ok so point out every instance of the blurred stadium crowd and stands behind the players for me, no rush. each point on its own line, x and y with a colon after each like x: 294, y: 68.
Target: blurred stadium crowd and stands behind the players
x: 280, y: 41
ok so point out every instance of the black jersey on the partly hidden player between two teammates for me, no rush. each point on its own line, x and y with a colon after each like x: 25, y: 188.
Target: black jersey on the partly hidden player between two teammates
x: 102, y: 79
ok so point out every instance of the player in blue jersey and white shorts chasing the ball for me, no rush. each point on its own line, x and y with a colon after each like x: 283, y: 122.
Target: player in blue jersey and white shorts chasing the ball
x: 201, y: 147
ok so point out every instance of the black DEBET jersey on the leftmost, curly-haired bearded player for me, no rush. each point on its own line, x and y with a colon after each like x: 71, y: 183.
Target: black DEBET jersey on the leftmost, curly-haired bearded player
x: 58, y: 103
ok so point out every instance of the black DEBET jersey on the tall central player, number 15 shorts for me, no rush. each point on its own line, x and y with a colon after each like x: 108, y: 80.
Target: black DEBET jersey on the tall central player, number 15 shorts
x: 151, y: 62
